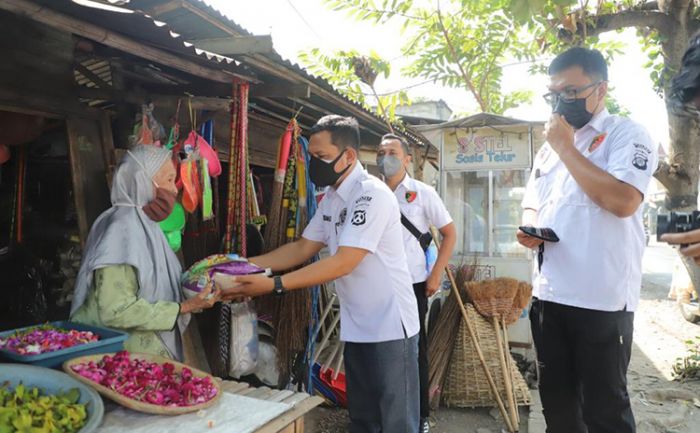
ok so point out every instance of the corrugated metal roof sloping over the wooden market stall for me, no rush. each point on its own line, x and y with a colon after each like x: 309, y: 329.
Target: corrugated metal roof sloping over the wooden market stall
x: 180, y: 21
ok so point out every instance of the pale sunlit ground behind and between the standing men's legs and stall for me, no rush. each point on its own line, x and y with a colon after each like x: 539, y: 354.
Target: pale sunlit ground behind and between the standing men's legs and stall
x: 661, y: 405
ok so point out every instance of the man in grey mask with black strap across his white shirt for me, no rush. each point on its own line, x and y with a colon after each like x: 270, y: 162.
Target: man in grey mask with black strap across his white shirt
x: 421, y: 208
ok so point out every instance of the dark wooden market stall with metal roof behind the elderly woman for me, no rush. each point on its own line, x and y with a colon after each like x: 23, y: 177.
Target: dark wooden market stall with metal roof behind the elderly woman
x: 77, y: 76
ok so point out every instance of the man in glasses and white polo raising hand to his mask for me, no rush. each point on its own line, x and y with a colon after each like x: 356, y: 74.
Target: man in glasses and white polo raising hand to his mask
x: 587, y: 185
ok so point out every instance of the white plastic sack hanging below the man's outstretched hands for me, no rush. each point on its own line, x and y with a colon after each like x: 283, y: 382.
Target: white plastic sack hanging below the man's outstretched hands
x: 243, y: 359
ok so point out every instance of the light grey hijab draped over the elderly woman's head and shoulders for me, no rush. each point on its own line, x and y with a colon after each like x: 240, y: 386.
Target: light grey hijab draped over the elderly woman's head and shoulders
x: 124, y: 235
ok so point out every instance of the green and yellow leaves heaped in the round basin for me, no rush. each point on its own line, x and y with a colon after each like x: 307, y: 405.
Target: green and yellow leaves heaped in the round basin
x: 25, y: 409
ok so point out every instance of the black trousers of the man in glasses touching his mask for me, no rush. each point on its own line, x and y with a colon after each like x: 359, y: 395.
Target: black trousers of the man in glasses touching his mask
x: 583, y: 357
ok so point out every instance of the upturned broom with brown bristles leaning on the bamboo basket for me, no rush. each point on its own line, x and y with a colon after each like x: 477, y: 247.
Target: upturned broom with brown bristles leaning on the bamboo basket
x: 494, y: 299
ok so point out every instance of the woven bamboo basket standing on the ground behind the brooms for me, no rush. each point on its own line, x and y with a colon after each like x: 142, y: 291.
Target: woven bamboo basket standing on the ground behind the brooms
x: 465, y: 384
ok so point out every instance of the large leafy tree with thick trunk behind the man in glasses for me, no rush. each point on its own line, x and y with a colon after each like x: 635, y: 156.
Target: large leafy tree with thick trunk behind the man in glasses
x: 461, y: 42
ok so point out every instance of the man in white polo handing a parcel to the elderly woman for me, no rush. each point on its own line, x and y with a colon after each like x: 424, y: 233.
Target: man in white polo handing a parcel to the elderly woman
x: 359, y: 220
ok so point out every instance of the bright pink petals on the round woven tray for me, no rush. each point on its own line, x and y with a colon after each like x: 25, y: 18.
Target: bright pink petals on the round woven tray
x: 144, y: 381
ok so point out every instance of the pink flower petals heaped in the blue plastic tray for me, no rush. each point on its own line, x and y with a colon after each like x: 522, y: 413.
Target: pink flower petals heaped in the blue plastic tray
x: 44, y: 339
